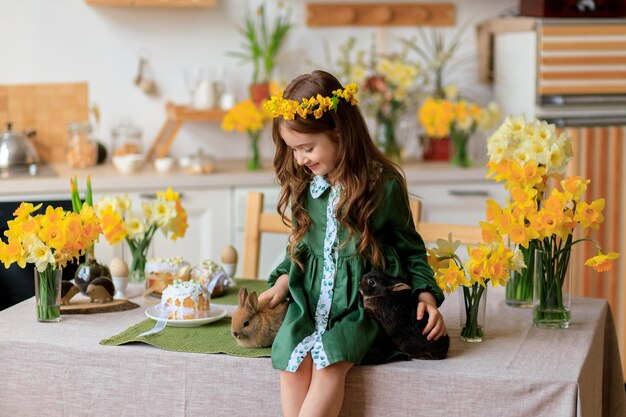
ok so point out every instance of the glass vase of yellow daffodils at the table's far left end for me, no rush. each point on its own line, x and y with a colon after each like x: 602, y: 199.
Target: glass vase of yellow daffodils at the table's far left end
x: 49, y: 240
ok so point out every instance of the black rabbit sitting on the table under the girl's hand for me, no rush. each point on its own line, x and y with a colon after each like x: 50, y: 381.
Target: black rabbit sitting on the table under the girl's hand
x: 389, y: 300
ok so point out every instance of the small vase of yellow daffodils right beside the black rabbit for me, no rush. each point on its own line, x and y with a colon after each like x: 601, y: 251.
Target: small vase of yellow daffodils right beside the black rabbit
x: 488, y: 262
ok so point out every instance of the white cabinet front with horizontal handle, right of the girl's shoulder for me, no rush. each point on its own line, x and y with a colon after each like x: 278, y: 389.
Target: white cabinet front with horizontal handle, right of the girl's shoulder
x: 456, y: 203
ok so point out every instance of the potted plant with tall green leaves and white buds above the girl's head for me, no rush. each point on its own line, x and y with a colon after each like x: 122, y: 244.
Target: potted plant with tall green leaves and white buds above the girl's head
x: 263, y: 39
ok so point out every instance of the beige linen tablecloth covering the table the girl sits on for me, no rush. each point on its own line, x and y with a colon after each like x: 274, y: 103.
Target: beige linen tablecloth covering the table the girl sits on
x: 60, y: 369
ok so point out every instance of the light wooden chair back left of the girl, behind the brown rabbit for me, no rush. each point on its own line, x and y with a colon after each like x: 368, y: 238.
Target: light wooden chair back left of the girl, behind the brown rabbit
x: 258, y: 222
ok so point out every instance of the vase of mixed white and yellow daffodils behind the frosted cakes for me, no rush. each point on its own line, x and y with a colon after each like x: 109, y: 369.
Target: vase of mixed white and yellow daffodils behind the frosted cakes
x: 120, y: 223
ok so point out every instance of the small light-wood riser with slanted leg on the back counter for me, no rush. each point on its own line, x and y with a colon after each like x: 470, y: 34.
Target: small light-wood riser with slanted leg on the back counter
x: 176, y: 116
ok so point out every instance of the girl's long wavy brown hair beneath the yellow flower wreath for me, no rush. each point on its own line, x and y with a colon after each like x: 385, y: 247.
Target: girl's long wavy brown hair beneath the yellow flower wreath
x: 362, y: 187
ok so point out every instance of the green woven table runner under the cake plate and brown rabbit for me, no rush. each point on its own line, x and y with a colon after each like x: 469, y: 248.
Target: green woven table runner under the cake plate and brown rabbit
x: 211, y: 338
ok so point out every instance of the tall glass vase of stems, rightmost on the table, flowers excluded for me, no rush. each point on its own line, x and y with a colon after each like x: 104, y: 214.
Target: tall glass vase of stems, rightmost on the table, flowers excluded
x: 553, y: 289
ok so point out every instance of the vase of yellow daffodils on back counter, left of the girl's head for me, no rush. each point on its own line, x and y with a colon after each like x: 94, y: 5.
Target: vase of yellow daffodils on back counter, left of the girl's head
x: 250, y: 118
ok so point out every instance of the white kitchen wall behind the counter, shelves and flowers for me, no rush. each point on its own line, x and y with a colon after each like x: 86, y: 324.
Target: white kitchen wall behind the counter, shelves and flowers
x: 68, y: 40
